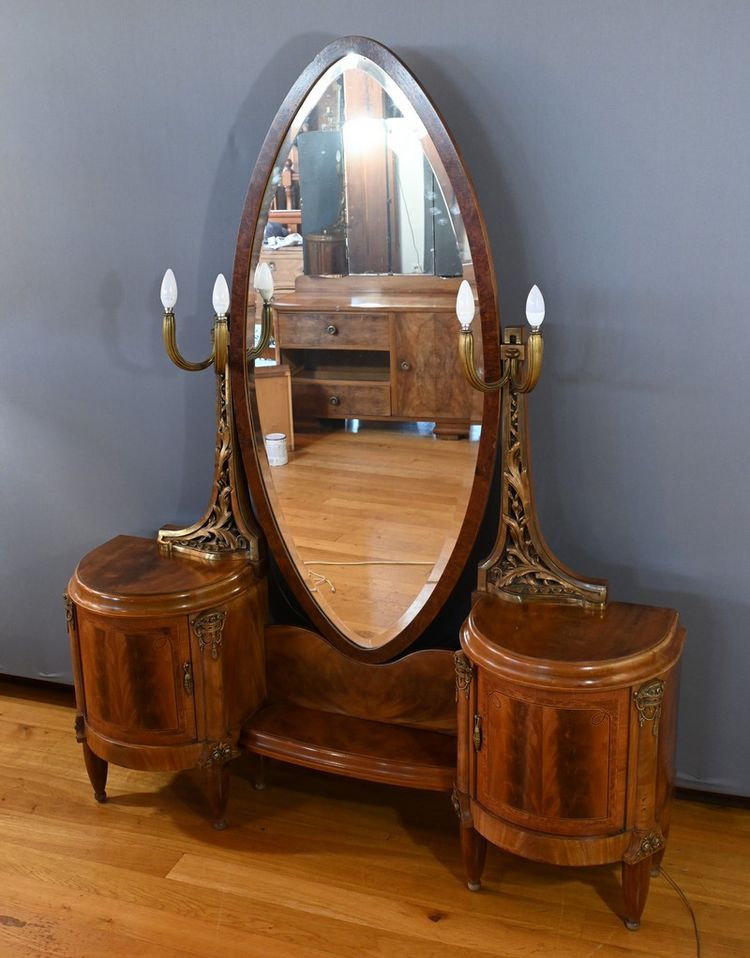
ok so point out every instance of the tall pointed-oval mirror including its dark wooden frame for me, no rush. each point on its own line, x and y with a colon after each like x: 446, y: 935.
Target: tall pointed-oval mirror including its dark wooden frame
x: 367, y: 453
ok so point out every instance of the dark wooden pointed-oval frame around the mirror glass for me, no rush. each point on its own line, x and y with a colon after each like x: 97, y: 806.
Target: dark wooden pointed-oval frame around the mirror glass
x: 246, y: 415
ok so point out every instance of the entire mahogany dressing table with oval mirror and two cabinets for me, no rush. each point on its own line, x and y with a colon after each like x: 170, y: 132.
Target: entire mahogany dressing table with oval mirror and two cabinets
x: 553, y: 725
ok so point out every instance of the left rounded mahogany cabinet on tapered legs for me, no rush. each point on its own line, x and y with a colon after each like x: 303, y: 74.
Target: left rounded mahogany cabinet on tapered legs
x: 168, y: 661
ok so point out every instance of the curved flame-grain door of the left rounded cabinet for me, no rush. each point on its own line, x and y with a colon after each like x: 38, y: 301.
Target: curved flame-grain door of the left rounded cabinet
x: 137, y: 679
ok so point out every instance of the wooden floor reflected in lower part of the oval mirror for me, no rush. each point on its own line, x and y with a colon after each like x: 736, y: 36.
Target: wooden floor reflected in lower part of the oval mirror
x: 379, y: 494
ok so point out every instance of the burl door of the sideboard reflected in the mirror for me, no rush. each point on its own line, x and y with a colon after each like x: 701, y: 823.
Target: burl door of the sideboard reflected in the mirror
x: 428, y: 377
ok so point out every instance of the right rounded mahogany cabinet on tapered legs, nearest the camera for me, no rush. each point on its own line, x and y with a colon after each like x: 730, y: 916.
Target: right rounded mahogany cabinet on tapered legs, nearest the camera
x: 566, y: 736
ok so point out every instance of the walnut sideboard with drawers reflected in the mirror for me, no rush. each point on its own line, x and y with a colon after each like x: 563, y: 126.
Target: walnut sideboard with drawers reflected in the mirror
x: 374, y: 354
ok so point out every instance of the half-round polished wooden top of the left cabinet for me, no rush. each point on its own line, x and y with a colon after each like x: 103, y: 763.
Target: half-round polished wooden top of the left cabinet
x: 131, y: 576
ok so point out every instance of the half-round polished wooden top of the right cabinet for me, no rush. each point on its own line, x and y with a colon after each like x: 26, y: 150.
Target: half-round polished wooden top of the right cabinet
x: 547, y: 644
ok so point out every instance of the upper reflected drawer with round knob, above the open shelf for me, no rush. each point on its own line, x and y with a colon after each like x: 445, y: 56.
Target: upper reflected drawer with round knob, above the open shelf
x: 333, y: 330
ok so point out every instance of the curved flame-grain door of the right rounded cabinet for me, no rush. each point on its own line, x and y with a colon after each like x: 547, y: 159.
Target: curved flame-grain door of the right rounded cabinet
x: 552, y: 761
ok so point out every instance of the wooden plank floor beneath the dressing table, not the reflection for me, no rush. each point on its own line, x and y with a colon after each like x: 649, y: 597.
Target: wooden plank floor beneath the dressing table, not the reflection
x: 313, y: 866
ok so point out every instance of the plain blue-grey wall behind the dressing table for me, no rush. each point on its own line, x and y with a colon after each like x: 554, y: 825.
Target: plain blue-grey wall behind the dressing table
x: 609, y: 145
